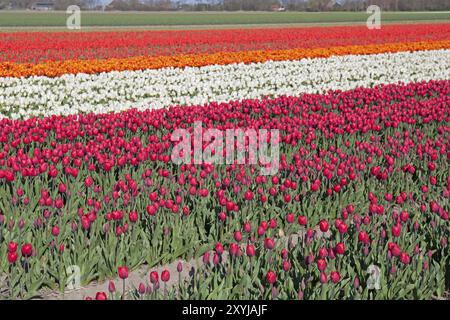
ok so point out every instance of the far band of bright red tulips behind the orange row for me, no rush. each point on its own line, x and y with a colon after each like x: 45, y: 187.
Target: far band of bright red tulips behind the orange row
x: 36, y: 47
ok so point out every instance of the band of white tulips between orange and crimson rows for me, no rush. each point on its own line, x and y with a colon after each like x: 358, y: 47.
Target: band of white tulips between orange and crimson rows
x: 116, y: 91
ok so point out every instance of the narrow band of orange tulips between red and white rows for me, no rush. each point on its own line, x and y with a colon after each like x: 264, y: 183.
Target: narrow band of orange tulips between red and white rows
x: 58, y: 68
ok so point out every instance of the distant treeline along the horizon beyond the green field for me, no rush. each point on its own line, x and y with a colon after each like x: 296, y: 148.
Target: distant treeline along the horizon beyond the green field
x: 236, y: 5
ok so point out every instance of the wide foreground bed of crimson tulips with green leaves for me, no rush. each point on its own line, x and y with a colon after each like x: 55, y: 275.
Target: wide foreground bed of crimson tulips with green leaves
x: 363, y: 174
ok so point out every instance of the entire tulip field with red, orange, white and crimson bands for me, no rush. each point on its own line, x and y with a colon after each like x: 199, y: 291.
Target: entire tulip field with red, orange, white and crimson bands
x: 358, y: 207
